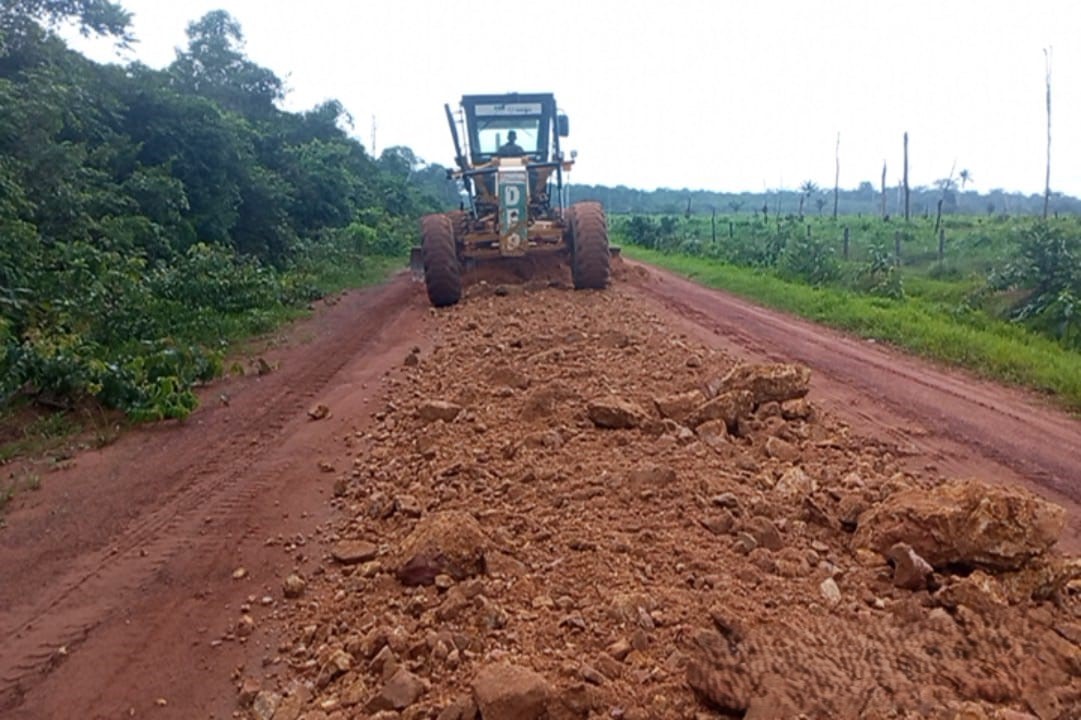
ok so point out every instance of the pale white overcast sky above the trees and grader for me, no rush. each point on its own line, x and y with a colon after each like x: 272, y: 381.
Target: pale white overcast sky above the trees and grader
x: 717, y: 96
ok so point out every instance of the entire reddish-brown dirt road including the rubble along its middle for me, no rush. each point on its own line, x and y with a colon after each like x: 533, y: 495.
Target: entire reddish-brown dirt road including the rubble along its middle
x: 543, y: 503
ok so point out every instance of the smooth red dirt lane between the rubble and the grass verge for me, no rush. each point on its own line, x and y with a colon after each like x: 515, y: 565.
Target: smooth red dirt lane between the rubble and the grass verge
x: 975, y: 425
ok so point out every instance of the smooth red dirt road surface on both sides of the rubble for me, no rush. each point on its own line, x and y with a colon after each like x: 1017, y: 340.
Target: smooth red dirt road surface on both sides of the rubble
x: 117, y: 588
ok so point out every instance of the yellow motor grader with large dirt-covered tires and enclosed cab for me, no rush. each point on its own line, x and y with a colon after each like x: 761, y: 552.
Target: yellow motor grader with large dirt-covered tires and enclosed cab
x: 511, y: 167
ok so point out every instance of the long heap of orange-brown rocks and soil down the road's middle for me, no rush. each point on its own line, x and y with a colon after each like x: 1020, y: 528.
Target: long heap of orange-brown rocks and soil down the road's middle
x: 566, y: 511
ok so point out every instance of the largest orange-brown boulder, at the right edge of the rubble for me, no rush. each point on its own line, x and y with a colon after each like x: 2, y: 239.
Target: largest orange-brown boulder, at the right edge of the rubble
x: 964, y: 523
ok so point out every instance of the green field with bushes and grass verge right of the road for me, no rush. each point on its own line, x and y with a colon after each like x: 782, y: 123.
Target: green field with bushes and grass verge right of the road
x: 999, y: 296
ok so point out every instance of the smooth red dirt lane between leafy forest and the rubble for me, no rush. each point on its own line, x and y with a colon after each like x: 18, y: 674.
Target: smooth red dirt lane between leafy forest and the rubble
x: 116, y: 577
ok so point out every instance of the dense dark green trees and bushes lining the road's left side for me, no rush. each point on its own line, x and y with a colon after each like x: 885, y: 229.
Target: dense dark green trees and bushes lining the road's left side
x: 148, y: 217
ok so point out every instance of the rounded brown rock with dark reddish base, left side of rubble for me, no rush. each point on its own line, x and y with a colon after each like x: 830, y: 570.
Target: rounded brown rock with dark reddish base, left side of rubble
x: 450, y: 543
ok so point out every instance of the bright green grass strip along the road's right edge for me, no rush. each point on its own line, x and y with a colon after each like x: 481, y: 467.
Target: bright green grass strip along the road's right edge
x: 972, y: 340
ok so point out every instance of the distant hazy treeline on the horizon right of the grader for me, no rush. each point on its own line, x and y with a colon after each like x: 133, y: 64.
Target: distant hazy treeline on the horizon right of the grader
x: 865, y: 201
